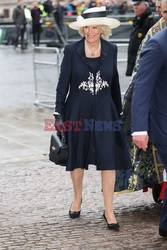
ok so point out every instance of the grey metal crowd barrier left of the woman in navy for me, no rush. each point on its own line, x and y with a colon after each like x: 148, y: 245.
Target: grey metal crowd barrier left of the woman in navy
x: 46, y: 64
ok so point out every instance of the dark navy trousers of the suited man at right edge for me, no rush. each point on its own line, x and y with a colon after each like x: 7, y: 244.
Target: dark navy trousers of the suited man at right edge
x: 162, y: 150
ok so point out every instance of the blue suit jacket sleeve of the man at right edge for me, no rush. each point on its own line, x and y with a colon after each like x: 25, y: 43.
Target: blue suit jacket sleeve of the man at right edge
x: 148, y: 70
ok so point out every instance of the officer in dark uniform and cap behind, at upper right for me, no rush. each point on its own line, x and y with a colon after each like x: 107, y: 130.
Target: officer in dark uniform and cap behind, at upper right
x: 143, y: 21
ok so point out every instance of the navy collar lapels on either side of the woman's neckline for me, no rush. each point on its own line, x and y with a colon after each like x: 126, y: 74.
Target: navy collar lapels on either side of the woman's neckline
x: 80, y: 50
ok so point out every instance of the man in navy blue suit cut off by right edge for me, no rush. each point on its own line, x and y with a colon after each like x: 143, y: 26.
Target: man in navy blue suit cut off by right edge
x: 149, y: 104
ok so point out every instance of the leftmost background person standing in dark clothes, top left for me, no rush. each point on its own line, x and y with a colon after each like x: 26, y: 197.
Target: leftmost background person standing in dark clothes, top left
x: 20, y: 22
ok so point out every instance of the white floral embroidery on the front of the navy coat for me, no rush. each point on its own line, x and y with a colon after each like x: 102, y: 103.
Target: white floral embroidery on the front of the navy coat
x: 89, y: 85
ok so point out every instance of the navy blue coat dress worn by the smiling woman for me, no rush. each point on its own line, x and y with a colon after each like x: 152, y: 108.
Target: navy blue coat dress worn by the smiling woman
x: 89, y: 100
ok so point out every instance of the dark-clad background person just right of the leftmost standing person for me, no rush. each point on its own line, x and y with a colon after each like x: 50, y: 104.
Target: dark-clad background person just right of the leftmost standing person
x: 36, y: 24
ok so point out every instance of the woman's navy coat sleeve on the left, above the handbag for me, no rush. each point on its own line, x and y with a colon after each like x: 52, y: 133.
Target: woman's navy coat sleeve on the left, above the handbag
x: 64, y: 81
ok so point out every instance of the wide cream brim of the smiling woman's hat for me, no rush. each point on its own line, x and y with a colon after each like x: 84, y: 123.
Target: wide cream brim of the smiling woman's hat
x: 110, y: 22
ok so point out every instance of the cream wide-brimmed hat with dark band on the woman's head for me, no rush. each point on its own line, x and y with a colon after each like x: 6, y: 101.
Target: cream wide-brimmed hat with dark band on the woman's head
x: 94, y: 16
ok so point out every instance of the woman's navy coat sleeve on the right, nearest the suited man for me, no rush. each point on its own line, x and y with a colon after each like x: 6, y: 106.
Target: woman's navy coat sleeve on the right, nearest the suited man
x: 115, y: 86
